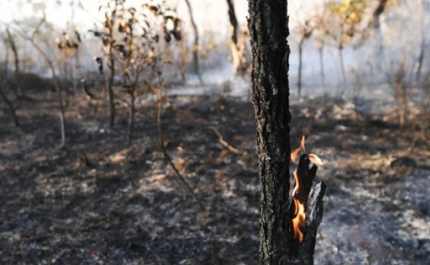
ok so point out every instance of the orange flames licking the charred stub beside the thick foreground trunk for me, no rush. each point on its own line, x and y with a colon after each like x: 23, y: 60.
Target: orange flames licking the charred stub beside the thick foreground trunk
x: 299, y: 206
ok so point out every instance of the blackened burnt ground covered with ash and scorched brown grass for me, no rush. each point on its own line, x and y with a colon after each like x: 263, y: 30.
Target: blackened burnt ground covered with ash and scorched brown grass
x: 98, y: 200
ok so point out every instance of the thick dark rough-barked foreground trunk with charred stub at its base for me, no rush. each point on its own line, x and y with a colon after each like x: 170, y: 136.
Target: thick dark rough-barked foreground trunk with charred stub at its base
x: 268, y: 25
